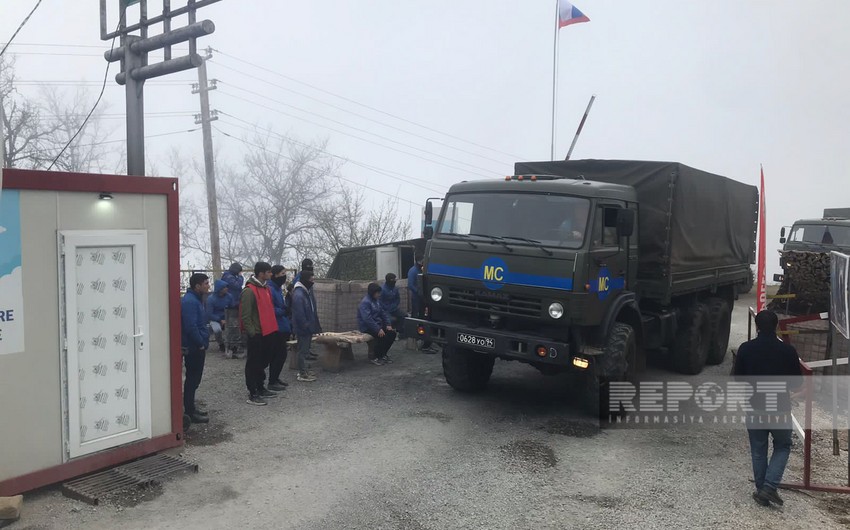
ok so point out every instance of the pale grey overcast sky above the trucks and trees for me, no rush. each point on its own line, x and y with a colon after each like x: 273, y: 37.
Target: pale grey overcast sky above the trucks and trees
x: 720, y: 85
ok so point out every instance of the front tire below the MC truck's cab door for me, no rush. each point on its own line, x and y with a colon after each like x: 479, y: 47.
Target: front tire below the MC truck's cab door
x: 619, y: 363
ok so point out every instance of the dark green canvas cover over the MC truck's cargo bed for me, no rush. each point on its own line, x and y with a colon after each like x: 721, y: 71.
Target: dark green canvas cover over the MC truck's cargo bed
x: 689, y: 219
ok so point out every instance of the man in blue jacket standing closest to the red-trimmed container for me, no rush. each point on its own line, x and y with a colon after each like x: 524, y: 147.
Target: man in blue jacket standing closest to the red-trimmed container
x: 196, y: 339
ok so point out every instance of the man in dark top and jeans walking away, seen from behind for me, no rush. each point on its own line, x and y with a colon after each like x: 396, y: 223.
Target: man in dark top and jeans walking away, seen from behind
x: 767, y: 356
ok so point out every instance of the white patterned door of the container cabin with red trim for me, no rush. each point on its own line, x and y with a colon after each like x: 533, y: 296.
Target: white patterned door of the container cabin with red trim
x: 104, y: 279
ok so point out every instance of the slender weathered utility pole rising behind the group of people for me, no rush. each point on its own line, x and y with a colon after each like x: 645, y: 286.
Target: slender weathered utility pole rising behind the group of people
x: 204, y: 119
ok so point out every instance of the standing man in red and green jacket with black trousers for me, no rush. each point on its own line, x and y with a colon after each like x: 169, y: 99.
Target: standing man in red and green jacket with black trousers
x: 256, y: 310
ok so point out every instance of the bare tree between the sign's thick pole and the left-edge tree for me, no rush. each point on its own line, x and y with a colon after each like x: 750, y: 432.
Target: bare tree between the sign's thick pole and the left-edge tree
x: 86, y: 152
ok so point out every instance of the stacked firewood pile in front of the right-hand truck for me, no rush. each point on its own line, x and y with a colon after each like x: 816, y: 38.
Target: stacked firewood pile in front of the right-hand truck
x: 807, y: 276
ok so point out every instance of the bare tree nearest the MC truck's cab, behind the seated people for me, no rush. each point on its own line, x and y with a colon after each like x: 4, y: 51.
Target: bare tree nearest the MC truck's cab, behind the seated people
x: 346, y: 222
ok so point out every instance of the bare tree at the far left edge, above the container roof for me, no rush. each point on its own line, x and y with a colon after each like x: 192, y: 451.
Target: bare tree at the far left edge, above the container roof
x: 24, y: 131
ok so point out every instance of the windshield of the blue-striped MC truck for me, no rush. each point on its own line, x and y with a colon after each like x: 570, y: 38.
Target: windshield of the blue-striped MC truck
x: 552, y: 220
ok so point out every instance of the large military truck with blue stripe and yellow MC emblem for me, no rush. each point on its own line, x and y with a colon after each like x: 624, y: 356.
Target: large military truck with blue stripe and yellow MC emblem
x: 582, y: 266
